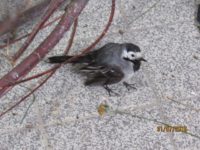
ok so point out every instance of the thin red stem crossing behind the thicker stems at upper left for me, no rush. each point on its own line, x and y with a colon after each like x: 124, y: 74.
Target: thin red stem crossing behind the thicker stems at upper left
x: 24, y: 36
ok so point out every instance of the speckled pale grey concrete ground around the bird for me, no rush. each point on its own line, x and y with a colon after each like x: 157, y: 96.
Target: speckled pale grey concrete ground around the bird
x: 64, y: 114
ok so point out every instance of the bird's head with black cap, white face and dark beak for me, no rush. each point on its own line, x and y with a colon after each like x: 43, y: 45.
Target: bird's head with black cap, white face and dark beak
x: 132, y: 53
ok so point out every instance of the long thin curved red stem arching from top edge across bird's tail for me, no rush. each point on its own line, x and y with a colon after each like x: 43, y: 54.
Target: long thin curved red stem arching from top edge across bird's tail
x: 85, y: 50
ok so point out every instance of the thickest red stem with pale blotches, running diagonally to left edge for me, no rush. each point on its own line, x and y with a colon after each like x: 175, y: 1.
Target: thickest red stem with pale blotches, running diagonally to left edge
x: 32, y: 60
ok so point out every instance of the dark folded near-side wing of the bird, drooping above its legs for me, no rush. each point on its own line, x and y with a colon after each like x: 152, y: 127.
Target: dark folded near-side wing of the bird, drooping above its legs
x: 99, y: 75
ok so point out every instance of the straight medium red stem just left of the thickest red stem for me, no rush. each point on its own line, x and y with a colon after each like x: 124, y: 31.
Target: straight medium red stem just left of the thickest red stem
x: 54, y: 4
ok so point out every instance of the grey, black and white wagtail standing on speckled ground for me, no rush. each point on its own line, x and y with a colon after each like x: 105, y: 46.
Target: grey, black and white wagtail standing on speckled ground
x: 110, y: 64
